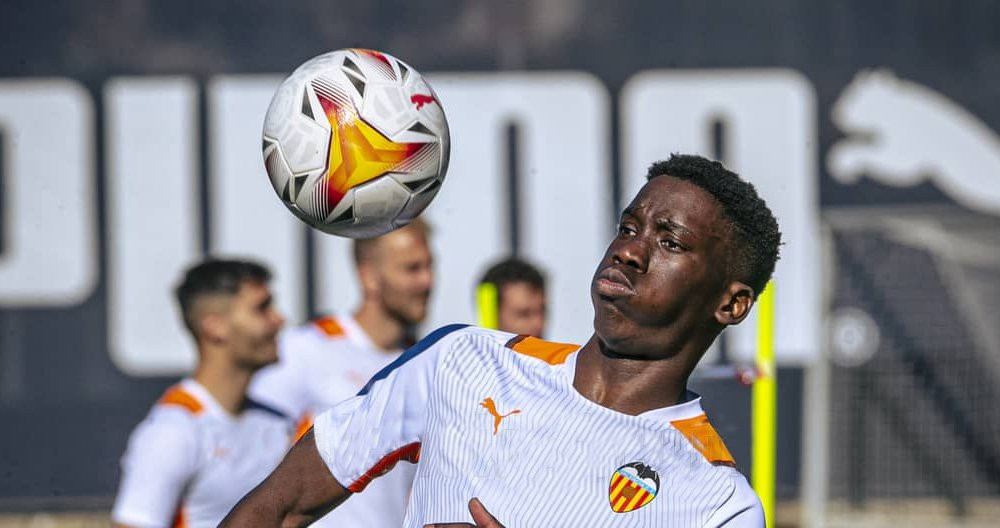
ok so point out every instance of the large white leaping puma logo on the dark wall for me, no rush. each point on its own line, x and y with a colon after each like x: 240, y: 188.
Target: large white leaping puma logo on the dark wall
x: 900, y: 133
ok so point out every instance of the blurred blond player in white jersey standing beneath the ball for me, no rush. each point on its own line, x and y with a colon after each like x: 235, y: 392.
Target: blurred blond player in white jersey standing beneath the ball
x: 330, y: 359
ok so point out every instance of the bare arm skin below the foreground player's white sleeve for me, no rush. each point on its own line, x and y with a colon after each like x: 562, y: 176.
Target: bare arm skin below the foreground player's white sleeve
x: 299, y: 491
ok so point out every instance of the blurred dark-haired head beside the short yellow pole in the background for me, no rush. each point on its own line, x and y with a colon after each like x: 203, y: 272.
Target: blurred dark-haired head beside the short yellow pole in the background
x: 520, y: 296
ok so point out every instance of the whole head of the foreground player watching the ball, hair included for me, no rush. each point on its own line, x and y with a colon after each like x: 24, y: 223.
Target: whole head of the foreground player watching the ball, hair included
x: 693, y: 250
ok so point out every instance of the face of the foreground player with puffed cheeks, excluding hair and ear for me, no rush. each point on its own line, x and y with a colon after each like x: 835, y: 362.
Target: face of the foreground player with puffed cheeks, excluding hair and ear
x: 661, y: 278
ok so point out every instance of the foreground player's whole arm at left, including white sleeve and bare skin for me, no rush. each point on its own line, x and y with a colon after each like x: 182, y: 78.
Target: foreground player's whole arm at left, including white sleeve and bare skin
x: 351, y: 443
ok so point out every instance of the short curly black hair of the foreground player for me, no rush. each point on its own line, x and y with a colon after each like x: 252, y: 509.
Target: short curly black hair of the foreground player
x: 755, y: 231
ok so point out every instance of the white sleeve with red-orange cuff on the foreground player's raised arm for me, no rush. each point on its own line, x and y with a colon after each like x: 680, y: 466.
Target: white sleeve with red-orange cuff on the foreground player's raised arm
x: 365, y: 436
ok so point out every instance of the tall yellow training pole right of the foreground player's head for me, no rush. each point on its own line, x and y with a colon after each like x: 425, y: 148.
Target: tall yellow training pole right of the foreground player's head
x: 765, y: 407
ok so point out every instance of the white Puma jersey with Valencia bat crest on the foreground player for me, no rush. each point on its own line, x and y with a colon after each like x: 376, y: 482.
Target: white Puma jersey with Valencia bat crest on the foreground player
x: 495, y: 416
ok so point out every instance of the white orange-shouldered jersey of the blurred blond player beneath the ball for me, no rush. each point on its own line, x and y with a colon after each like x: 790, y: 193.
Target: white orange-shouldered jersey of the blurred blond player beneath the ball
x: 321, y: 364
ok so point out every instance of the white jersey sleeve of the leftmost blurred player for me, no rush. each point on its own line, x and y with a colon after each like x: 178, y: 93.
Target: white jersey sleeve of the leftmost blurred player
x: 159, y: 462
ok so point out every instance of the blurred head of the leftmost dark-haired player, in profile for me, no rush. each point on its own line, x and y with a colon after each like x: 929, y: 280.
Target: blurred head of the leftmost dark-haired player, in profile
x: 227, y: 306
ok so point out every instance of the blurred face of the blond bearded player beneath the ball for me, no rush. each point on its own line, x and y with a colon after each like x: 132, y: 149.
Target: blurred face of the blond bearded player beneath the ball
x: 405, y: 274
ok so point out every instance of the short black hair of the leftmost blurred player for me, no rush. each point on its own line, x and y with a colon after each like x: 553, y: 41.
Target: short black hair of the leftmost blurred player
x: 215, y: 277
